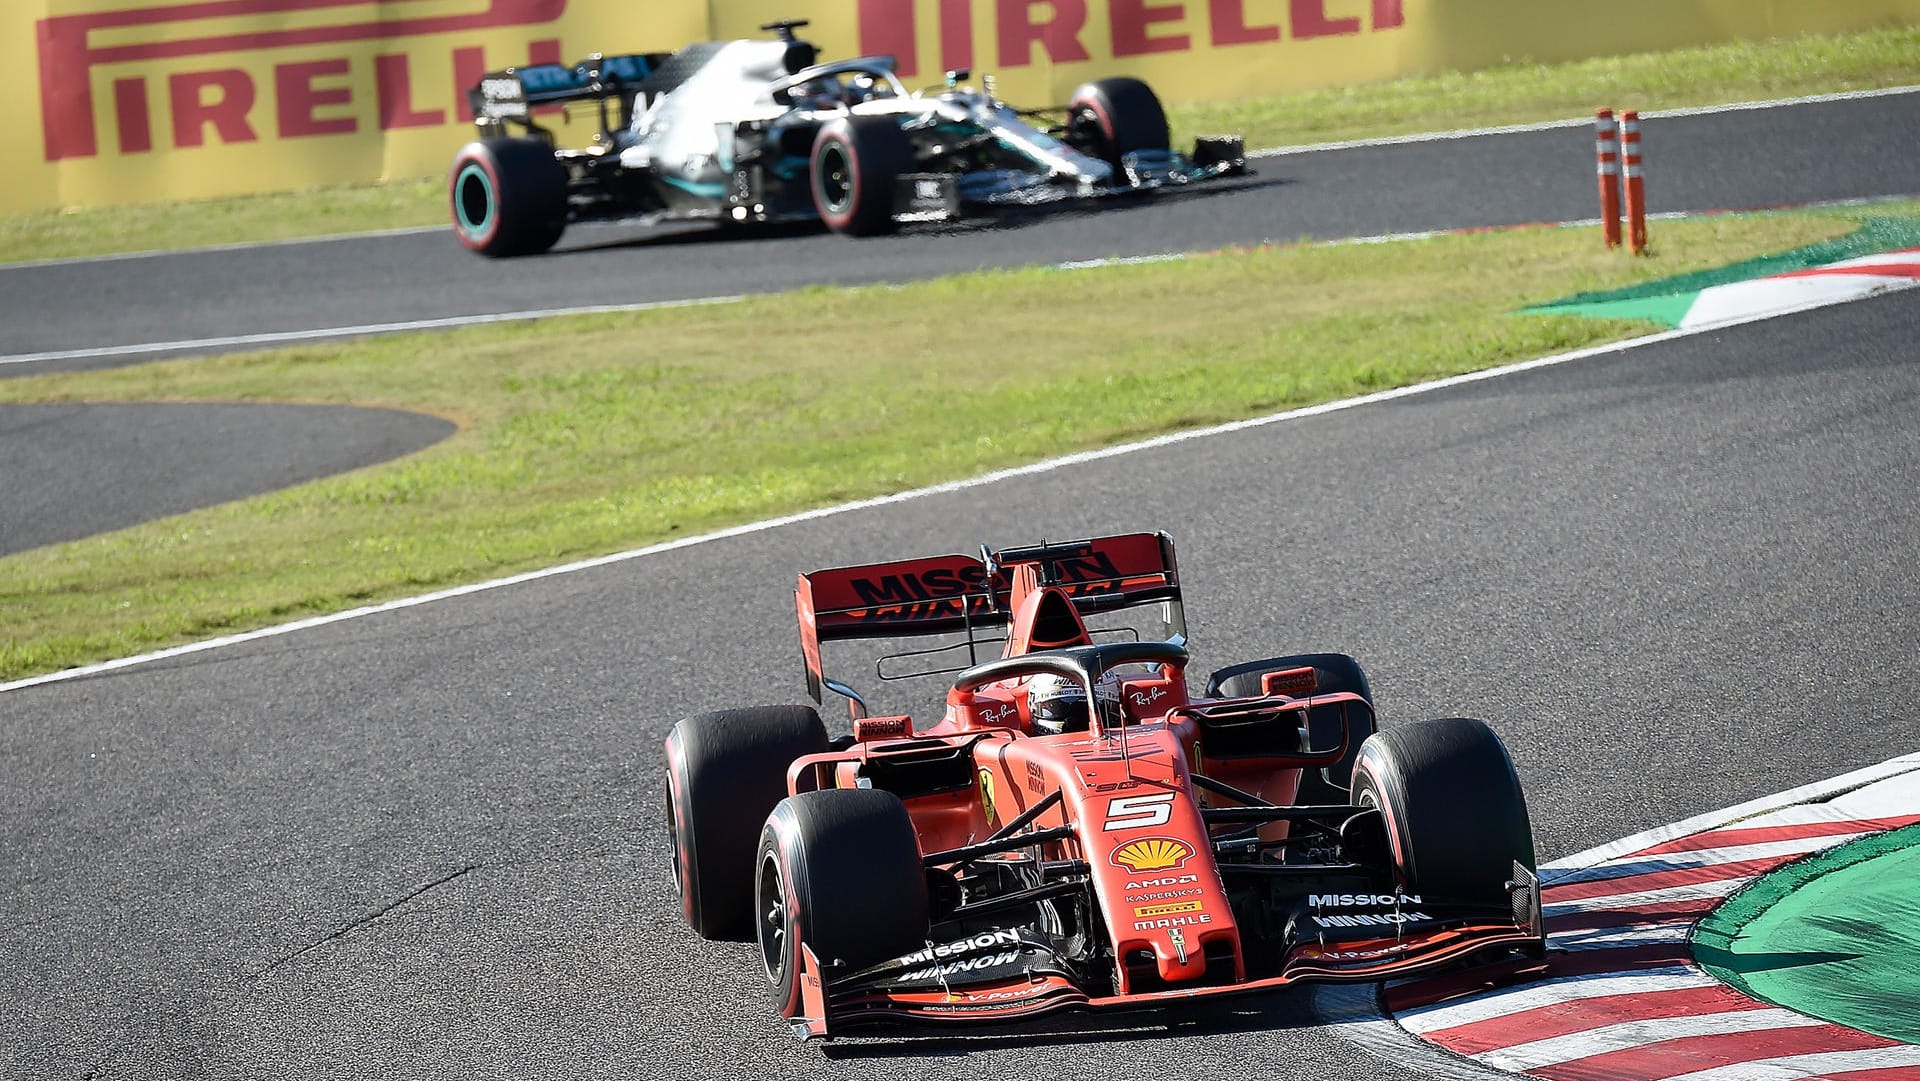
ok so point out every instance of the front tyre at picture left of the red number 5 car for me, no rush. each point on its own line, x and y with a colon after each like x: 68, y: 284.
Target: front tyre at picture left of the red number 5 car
x: 840, y: 873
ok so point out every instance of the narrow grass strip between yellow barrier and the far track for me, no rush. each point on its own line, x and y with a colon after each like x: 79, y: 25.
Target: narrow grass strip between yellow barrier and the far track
x: 1740, y: 72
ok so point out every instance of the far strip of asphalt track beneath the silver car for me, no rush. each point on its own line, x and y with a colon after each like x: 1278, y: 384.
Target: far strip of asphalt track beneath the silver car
x: 1833, y: 151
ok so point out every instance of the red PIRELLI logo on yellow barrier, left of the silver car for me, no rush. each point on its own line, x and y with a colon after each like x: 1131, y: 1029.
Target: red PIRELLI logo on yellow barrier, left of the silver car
x: 222, y: 97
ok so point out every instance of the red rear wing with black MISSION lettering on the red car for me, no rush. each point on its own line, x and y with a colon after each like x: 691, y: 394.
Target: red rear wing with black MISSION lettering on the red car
x: 948, y: 594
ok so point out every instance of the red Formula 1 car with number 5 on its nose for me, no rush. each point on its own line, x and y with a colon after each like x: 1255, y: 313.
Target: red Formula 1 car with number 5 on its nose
x: 1076, y: 829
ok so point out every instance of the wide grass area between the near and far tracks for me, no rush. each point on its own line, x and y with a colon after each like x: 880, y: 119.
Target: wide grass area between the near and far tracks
x: 592, y: 435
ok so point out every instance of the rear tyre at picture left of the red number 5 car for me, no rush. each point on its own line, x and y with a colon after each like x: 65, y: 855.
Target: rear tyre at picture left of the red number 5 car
x: 725, y: 773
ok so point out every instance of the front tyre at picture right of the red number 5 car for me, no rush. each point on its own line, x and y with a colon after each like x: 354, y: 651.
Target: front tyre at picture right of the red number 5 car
x: 1456, y: 819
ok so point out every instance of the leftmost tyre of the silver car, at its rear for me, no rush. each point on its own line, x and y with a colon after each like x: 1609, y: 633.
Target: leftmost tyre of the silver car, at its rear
x: 508, y: 197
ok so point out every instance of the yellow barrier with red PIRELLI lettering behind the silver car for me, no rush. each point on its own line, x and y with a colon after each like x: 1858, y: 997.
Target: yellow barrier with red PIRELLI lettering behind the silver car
x: 224, y: 97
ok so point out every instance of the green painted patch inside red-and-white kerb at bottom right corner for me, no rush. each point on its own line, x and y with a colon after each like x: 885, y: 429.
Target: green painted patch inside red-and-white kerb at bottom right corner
x: 1835, y: 936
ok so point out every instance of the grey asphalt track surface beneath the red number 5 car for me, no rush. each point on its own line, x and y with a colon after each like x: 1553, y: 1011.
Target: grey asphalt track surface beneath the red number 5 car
x: 427, y: 844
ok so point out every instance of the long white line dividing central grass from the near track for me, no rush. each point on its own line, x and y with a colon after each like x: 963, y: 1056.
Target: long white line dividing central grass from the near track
x: 949, y: 487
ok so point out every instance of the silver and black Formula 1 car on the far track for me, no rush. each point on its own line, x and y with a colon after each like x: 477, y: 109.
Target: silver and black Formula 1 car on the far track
x: 759, y: 132
